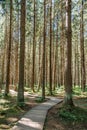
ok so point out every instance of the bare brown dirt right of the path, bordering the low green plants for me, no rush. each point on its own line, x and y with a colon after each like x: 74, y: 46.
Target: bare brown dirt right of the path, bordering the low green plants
x: 53, y: 122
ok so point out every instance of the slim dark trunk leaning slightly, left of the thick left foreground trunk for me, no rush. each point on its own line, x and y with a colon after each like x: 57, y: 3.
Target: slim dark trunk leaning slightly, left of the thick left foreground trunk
x: 9, y: 52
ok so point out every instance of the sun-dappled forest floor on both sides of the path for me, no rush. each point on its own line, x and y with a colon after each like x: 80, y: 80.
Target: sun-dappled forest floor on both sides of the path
x: 10, y: 113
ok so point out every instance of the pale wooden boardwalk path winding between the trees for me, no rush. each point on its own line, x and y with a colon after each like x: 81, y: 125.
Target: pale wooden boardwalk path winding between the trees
x: 35, y: 118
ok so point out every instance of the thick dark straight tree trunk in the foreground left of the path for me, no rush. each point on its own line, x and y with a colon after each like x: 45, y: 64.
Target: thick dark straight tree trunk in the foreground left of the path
x: 22, y: 53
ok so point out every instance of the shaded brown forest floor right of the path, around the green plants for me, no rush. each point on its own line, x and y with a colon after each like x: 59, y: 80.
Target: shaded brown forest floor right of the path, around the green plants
x: 55, y: 122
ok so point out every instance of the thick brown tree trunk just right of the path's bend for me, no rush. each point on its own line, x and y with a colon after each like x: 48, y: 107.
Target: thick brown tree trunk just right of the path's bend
x: 68, y: 73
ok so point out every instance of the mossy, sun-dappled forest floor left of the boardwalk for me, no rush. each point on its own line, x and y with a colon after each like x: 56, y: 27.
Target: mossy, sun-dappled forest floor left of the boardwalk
x: 10, y: 113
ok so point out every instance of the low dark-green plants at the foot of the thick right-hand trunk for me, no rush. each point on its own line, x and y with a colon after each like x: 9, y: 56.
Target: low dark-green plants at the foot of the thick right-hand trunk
x: 73, y: 114
